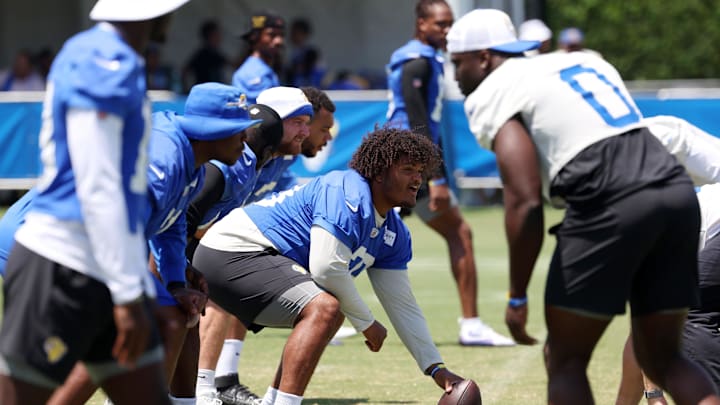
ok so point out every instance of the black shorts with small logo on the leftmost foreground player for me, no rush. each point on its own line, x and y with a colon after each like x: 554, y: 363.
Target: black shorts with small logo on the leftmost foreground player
x: 55, y: 316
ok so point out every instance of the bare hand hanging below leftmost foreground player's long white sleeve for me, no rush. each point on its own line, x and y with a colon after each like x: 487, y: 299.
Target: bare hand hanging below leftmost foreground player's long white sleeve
x: 133, y: 331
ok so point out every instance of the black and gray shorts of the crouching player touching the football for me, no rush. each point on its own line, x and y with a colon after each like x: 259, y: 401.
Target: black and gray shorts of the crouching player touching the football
x: 262, y: 289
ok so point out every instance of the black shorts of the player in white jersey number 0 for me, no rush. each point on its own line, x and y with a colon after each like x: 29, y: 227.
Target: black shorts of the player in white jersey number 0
x: 642, y: 248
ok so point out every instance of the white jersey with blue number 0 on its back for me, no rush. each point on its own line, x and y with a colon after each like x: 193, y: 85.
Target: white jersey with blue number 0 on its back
x: 568, y: 101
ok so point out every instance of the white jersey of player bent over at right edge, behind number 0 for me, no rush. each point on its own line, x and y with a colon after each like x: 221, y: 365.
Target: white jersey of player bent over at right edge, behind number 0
x: 694, y: 148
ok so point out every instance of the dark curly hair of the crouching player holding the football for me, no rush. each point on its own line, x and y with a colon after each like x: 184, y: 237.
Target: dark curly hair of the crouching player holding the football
x: 386, y: 145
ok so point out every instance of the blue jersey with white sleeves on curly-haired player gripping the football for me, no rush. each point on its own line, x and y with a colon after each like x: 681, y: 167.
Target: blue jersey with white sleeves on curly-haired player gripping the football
x: 331, y: 228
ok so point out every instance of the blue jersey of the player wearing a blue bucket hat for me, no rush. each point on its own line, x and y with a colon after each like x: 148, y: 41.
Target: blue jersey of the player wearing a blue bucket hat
x: 173, y: 183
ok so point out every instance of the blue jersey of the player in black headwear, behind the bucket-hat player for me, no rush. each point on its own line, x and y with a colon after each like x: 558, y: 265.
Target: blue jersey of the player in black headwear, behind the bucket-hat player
x: 240, y: 181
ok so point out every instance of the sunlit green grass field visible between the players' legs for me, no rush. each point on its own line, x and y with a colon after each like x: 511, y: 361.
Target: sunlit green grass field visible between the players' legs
x: 350, y: 374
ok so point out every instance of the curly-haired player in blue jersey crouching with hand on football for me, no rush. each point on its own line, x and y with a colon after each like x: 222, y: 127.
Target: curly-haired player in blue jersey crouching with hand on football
x: 289, y: 261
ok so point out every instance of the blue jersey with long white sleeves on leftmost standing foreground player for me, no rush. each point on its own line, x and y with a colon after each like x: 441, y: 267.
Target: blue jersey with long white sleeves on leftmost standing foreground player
x: 88, y: 214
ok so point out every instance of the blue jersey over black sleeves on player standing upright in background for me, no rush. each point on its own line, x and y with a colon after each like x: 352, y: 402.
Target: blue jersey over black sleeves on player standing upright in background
x: 397, y: 113
